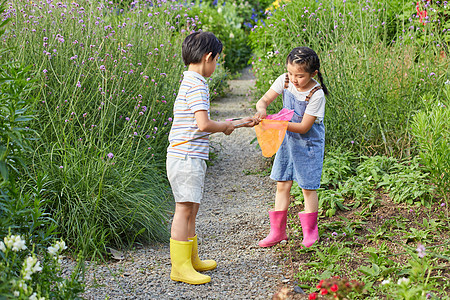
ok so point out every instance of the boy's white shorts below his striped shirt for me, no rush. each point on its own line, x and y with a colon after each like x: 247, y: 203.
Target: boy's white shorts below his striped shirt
x: 187, y: 178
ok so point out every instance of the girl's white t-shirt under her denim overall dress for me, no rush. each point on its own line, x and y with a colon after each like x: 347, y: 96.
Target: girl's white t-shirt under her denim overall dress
x: 316, y: 105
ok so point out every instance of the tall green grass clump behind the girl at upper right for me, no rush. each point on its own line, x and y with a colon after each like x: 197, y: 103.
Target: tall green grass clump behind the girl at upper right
x: 378, y: 58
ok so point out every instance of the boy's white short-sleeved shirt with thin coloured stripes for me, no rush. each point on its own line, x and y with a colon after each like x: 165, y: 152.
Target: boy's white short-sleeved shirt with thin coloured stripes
x: 193, y: 96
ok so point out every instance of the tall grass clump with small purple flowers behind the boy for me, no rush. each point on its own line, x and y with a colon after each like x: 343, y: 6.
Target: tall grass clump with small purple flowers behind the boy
x: 107, y: 80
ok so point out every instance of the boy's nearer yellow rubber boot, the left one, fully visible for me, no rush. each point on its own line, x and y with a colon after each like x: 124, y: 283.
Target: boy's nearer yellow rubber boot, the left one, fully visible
x: 182, y: 270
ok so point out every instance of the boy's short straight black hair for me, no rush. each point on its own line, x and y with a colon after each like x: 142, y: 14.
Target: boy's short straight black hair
x: 198, y: 44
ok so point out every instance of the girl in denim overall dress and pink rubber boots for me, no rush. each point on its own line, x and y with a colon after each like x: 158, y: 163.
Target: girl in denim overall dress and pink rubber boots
x: 300, y: 156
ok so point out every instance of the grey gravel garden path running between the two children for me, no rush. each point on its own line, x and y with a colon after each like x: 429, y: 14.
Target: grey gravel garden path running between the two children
x: 232, y: 218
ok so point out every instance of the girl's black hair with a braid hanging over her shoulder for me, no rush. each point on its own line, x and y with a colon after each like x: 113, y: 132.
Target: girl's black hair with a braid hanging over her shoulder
x: 309, y: 60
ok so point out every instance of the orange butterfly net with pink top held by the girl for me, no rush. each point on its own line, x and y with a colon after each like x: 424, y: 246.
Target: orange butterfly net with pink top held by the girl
x: 271, y: 130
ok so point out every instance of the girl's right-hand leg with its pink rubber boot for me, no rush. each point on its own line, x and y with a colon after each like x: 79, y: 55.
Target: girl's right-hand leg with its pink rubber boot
x: 308, y: 218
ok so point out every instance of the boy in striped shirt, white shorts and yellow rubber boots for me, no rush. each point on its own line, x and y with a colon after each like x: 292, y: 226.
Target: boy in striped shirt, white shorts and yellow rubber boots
x: 186, y: 163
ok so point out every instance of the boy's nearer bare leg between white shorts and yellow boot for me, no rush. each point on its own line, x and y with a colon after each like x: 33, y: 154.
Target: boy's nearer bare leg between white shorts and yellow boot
x: 181, y: 220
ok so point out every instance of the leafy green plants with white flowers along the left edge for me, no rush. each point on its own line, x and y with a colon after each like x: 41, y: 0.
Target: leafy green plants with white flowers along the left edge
x: 27, y: 270
